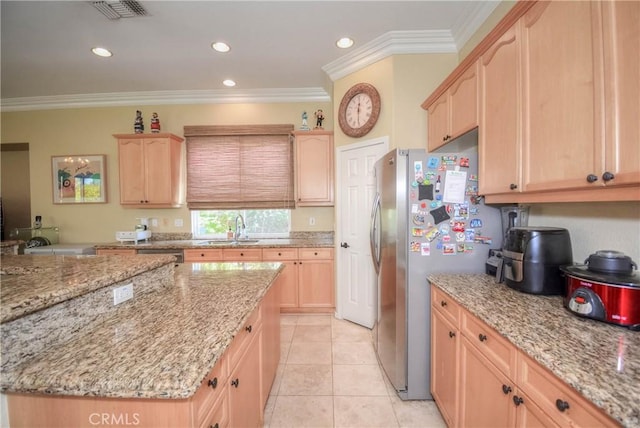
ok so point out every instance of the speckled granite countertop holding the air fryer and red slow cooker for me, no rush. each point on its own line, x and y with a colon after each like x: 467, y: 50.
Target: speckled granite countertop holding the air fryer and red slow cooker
x: 599, y: 360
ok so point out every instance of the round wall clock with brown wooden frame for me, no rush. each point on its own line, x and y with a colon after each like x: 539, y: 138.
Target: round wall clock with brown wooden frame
x: 359, y: 110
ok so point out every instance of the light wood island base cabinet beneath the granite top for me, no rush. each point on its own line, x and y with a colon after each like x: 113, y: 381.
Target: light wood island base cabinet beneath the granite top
x: 231, y: 395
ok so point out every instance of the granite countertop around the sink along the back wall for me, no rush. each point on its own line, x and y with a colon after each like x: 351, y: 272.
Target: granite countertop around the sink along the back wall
x: 213, y: 243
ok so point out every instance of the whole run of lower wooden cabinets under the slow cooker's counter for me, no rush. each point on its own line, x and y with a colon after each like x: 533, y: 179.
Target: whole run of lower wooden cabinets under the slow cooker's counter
x: 496, y: 385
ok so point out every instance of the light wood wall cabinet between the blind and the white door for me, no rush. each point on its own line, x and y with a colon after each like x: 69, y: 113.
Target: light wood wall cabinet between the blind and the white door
x: 314, y: 169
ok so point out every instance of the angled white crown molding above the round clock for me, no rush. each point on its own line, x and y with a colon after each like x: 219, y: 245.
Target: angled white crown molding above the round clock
x: 391, y: 43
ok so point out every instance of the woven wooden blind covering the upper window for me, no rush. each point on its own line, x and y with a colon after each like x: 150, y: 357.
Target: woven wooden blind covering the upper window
x: 239, y: 171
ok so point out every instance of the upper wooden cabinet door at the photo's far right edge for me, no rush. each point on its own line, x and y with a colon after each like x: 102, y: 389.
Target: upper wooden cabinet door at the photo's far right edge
x: 622, y: 89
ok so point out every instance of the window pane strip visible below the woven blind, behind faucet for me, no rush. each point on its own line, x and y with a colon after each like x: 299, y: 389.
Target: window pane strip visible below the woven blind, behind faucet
x: 214, y: 224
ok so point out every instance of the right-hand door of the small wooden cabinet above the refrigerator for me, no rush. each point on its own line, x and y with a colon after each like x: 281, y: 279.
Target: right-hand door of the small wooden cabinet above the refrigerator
x: 463, y: 101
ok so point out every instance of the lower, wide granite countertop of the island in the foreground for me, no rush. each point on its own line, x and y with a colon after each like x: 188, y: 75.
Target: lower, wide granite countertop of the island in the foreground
x: 158, y: 345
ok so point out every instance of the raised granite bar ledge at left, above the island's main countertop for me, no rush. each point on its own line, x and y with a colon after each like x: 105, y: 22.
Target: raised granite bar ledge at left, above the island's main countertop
x: 32, y: 283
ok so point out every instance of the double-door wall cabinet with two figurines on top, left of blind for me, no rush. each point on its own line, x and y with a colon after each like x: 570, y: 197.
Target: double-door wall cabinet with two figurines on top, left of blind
x: 150, y: 170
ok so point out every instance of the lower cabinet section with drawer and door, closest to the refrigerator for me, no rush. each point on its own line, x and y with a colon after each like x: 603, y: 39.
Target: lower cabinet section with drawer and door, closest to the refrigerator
x: 445, y: 339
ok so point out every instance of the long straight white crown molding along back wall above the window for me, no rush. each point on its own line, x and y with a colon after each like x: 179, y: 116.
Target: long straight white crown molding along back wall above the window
x: 118, y: 99
